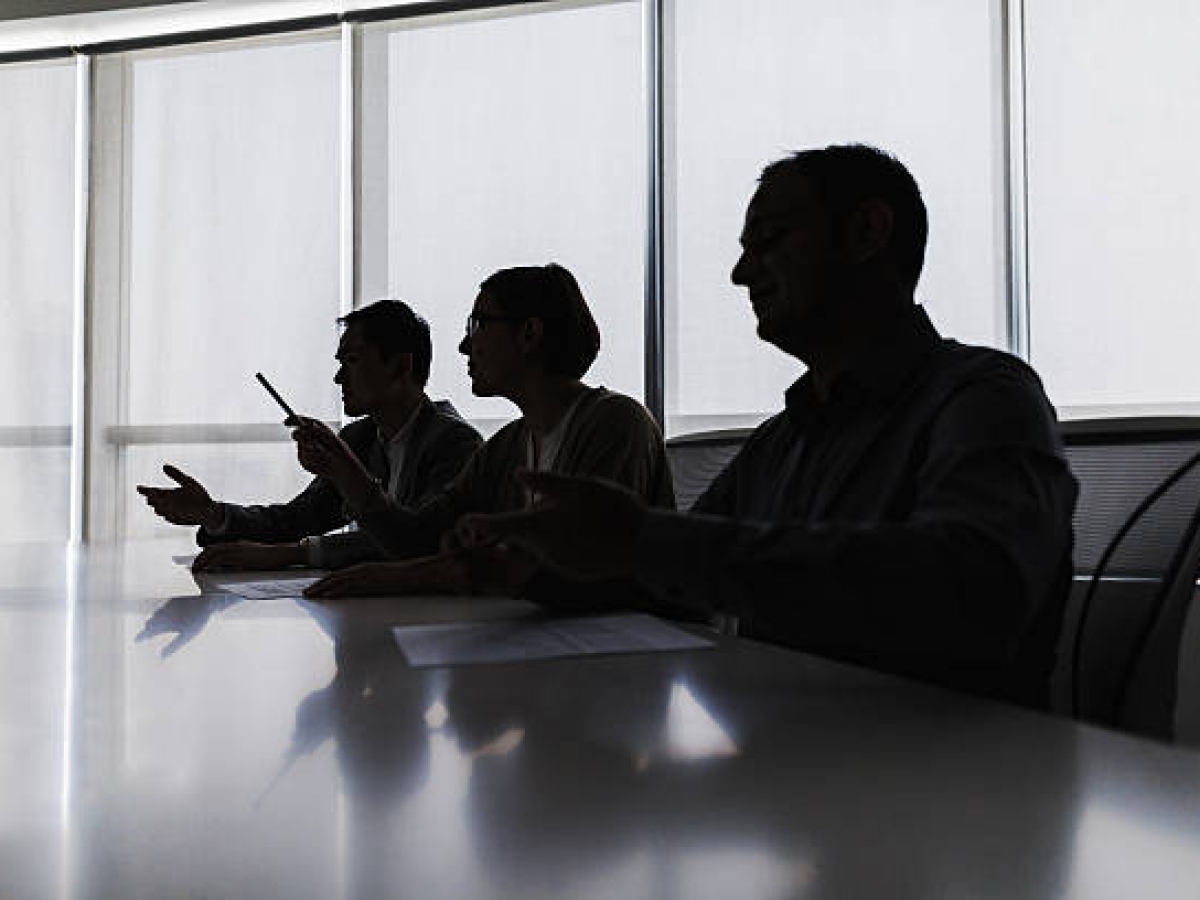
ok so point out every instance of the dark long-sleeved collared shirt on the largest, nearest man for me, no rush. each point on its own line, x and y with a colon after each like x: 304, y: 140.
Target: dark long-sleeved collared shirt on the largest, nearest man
x: 917, y: 520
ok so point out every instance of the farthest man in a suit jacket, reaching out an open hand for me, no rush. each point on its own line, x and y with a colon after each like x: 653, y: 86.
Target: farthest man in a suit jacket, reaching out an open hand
x: 406, y: 442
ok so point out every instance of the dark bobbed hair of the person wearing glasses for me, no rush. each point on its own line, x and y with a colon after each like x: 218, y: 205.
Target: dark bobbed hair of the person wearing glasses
x: 571, y: 337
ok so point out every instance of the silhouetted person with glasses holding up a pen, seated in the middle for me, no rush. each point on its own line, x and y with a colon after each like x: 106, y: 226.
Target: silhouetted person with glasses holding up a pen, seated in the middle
x: 531, y: 338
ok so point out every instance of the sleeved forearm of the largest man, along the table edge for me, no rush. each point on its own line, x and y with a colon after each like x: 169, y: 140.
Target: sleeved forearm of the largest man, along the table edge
x: 879, y: 585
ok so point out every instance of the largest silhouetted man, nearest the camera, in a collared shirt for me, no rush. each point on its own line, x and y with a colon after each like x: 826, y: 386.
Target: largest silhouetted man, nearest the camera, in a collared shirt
x: 909, y: 511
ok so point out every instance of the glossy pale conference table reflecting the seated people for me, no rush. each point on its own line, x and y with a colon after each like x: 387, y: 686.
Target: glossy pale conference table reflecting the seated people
x: 165, y: 739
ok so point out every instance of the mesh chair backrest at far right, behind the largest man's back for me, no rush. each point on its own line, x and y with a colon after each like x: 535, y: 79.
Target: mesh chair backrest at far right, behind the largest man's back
x: 1119, y: 661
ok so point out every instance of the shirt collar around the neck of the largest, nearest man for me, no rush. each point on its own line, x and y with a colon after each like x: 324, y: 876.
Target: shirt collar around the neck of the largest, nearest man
x: 881, y: 371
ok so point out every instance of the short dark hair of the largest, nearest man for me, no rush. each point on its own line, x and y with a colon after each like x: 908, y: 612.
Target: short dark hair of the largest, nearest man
x: 843, y: 176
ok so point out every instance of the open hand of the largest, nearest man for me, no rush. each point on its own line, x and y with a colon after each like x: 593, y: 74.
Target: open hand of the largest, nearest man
x: 583, y: 527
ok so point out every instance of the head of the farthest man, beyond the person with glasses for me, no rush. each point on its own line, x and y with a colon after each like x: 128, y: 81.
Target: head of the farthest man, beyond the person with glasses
x: 383, y: 358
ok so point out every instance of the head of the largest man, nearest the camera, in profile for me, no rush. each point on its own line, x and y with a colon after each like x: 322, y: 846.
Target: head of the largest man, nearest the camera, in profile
x: 829, y: 231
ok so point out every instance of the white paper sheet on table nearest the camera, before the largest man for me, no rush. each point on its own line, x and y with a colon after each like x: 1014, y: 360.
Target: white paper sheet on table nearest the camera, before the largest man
x: 472, y: 644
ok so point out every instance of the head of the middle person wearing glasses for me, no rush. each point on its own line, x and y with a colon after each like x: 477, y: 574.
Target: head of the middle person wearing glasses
x: 530, y: 319
